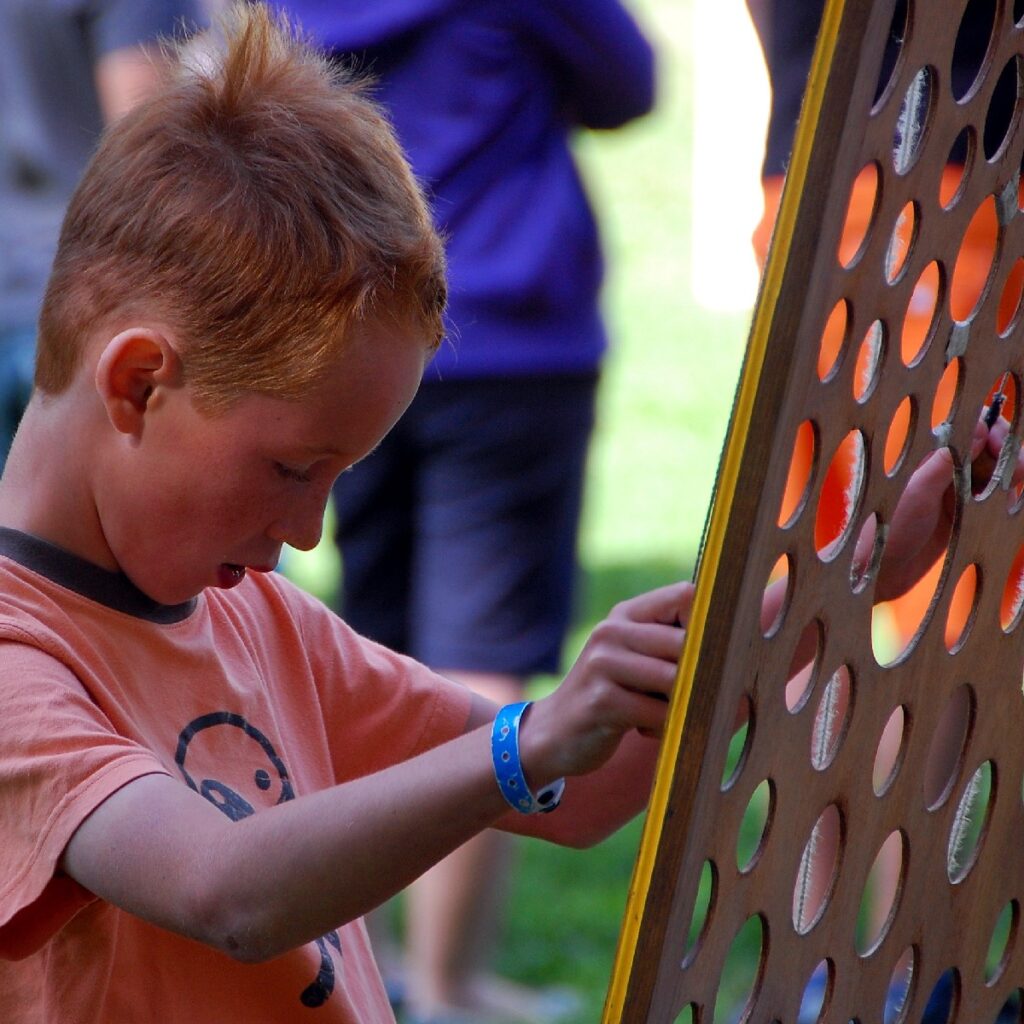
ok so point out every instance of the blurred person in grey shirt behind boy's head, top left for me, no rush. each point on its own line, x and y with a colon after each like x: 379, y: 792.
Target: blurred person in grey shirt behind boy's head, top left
x: 68, y: 68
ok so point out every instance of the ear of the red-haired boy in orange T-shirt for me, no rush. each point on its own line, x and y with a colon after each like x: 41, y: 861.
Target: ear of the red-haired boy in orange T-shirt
x: 134, y: 368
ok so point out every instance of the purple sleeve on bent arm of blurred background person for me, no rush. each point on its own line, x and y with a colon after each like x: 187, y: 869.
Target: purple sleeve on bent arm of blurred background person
x: 606, y: 63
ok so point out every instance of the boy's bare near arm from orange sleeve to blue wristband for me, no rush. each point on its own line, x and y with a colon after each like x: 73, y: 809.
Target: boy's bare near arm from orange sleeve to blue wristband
x: 262, y: 886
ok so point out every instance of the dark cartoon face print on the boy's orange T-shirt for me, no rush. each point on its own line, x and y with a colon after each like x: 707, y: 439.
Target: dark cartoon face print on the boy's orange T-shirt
x: 260, y: 779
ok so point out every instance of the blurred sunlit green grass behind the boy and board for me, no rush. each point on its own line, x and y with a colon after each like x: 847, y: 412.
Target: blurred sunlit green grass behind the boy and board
x: 665, y: 404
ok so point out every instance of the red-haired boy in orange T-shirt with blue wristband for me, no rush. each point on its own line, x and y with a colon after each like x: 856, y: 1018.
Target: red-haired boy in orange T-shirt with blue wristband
x: 206, y: 779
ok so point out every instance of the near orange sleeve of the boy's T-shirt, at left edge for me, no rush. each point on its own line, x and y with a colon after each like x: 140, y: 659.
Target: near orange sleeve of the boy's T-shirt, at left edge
x: 60, y: 759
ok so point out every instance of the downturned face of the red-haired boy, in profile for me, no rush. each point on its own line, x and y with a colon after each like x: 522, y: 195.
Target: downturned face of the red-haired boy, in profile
x: 205, y: 499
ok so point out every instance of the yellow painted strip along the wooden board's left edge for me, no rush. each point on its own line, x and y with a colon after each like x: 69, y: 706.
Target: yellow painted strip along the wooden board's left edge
x: 727, y: 491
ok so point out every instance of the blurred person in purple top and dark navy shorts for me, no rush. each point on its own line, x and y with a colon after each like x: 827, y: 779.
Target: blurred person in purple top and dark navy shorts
x: 459, y: 535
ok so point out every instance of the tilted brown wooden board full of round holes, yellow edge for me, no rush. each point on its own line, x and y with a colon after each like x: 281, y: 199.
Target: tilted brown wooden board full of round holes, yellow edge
x: 800, y: 764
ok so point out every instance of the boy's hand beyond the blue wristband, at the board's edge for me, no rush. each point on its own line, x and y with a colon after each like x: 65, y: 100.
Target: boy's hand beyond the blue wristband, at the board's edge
x: 621, y: 682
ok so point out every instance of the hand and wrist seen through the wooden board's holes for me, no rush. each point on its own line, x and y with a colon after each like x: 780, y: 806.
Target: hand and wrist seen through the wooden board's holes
x: 923, y: 521
